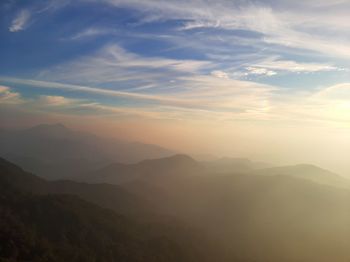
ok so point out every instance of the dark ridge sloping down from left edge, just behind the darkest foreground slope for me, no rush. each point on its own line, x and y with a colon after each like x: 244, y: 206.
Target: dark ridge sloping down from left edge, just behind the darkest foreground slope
x: 108, y: 196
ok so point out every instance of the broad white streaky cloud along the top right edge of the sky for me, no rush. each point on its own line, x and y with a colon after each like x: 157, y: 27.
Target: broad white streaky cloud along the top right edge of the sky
x: 312, y: 25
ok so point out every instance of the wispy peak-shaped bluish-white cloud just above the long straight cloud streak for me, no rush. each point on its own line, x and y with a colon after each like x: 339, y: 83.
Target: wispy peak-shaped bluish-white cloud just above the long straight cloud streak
x: 113, y: 64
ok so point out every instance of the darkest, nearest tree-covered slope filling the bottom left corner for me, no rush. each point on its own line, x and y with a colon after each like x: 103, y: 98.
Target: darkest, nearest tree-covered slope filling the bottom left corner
x: 61, y: 227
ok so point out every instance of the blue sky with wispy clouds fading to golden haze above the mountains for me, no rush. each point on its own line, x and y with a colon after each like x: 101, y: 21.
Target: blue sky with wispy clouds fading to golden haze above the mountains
x: 267, y: 80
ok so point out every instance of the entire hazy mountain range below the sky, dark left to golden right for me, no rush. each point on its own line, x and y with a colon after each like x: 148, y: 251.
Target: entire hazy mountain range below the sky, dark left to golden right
x: 171, y: 208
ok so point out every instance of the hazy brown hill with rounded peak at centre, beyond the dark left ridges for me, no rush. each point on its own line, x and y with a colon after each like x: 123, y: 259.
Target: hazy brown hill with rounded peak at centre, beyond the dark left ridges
x: 151, y: 169
